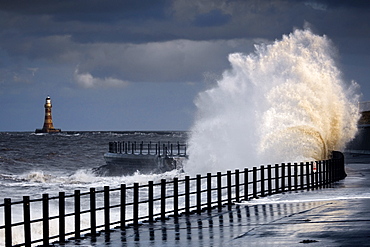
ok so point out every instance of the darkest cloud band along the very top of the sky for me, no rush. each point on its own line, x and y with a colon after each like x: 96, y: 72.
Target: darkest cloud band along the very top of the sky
x: 133, y: 21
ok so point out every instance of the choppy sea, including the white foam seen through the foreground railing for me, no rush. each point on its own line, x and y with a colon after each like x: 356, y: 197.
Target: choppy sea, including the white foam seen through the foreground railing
x: 35, y: 164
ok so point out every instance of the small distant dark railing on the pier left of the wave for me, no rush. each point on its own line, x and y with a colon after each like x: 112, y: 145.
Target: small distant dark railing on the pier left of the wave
x: 148, y: 148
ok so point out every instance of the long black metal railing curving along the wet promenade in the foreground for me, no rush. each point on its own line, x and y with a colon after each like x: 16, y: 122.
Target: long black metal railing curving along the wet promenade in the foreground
x: 72, y: 216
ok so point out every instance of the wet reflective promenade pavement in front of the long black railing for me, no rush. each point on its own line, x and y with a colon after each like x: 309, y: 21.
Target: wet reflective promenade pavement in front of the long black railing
x: 335, y: 216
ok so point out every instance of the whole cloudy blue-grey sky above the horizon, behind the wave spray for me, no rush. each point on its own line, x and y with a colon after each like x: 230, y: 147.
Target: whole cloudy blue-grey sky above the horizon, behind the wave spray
x: 123, y: 65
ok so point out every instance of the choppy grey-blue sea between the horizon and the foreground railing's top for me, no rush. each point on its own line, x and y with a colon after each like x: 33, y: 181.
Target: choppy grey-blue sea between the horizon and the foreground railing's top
x: 33, y: 164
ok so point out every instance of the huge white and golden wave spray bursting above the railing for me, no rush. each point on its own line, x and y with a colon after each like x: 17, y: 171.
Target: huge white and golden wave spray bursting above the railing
x: 285, y: 102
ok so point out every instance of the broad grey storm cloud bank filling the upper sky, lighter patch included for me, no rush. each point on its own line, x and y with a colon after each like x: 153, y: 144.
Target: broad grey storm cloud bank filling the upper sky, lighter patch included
x: 162, y: 40
